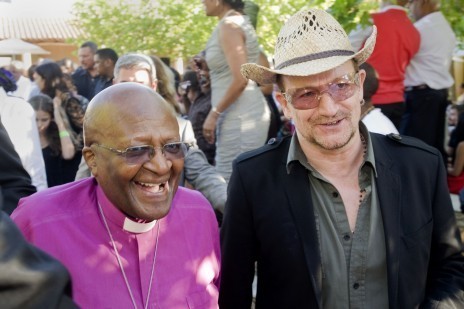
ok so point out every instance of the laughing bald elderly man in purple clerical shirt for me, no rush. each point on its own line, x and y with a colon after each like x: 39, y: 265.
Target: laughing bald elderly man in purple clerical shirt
x: 130, y: 237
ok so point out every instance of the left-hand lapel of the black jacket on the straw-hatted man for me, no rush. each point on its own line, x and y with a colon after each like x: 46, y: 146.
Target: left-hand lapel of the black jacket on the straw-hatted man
x: 299, y: 196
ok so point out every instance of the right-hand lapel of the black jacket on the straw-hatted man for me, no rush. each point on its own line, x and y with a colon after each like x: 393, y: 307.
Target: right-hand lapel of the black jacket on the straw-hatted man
x: 388, y: 185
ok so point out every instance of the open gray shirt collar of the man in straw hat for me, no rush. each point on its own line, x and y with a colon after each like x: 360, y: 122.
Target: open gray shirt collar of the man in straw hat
x: 296, y: 154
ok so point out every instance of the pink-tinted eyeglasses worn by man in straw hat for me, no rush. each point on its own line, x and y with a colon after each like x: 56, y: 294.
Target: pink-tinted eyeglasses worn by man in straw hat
x: 341, y: 89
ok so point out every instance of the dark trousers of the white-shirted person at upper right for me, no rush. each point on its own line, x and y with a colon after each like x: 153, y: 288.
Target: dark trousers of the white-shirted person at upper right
x: 424, y: 116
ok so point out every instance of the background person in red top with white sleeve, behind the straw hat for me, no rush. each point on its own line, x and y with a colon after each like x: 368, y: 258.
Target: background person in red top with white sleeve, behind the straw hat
x: 397, y: 42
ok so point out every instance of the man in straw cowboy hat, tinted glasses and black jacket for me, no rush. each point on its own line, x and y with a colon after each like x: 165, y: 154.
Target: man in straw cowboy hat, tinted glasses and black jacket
x: 335, y: 216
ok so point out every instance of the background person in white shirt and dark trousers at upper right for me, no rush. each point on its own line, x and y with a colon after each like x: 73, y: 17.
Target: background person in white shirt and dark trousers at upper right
x: 428, y: 76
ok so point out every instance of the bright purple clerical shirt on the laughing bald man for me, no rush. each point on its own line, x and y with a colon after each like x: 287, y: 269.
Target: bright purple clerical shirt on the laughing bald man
x: 65, y: 221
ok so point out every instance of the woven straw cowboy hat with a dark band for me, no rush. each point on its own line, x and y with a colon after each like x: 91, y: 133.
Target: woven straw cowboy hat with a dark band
x: 310, y: 42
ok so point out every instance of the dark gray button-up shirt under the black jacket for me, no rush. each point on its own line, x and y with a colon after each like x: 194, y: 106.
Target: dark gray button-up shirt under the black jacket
x: 354, y: 269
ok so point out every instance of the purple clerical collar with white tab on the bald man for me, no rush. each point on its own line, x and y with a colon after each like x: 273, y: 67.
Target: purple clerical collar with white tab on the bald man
x: 113, y: 214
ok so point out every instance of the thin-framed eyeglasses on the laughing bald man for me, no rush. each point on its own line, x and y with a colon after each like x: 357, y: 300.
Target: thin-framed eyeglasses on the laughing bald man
x: 140, y: 154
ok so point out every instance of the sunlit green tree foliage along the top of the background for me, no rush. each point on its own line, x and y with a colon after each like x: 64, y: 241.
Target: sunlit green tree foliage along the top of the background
x: 179, y: 28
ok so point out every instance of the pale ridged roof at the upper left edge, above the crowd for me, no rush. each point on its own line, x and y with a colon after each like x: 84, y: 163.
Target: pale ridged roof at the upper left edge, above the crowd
x: 36, y: 30
